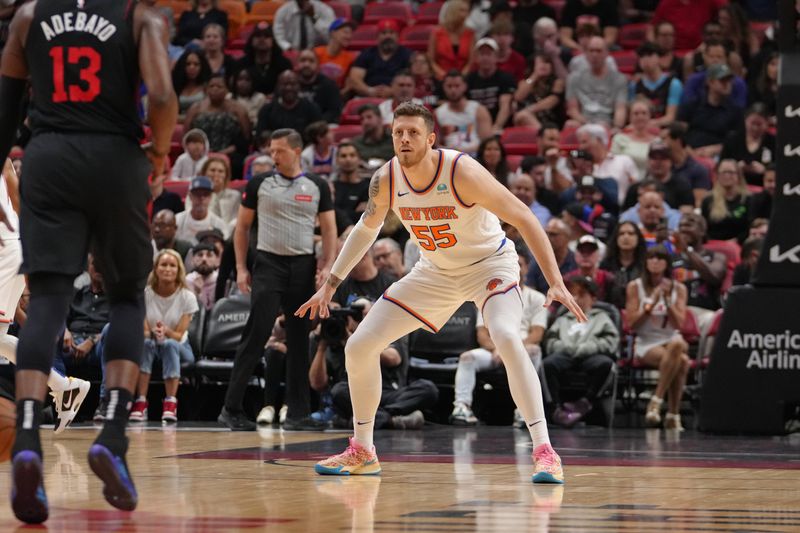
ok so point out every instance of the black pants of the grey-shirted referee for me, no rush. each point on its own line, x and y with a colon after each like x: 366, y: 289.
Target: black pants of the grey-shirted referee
x: 285, y: 282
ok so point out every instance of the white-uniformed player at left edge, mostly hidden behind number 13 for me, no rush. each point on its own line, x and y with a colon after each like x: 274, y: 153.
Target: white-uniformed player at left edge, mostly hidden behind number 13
x: 68, y: 393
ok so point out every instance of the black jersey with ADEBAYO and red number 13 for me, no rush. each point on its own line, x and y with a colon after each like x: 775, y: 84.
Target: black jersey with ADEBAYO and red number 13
x: 84, y: 68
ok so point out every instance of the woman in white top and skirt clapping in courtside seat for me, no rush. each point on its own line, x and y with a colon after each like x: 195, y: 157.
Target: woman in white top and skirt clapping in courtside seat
x: 655, y: 309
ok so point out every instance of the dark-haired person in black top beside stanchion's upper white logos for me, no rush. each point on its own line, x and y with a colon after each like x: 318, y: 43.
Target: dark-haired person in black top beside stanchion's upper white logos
x: 753, y: 147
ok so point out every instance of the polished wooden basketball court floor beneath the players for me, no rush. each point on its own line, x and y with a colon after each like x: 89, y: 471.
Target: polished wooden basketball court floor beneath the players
x: 442, y: 479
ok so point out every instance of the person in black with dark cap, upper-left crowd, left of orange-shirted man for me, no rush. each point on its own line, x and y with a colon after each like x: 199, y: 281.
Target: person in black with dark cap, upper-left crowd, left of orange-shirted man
x: 264, y: 59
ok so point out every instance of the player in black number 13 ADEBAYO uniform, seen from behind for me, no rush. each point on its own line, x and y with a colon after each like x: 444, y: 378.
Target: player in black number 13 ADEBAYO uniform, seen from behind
x: 85, y: 186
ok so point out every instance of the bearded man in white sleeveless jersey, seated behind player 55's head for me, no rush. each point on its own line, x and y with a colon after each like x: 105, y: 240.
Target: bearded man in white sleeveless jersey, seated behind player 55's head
x: 463, y: 123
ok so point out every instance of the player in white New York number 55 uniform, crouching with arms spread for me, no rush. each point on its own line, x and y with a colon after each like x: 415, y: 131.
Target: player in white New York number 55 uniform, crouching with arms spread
x: 450, y: 205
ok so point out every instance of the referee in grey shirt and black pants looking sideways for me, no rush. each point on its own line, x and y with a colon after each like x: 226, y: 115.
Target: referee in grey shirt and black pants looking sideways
x: 286, y: 203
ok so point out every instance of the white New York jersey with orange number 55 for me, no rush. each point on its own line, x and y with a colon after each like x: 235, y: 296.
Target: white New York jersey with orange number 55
x: 449, y: 233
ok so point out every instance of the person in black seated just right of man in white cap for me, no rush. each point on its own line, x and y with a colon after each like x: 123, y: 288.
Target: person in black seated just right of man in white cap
x: 540, y: 96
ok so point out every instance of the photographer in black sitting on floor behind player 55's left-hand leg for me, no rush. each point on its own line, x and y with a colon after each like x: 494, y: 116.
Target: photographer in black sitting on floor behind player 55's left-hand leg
x: 401, y: 402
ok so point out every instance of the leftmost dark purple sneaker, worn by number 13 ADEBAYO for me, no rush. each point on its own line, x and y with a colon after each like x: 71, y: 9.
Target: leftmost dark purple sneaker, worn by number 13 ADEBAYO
x: 28, y: 505
